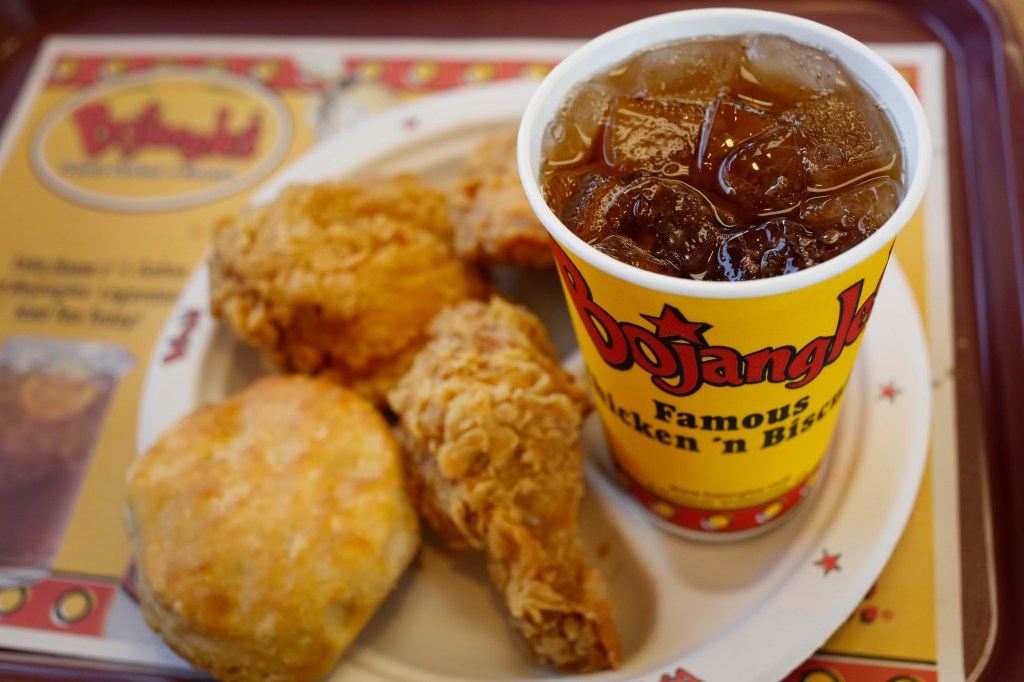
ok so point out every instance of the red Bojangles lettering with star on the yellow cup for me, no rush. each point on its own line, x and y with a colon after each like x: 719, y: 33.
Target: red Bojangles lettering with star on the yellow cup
x: 680, y: 361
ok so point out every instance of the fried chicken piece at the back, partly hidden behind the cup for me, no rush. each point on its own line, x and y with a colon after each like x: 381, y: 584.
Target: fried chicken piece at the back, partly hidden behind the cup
x: 494, y: 223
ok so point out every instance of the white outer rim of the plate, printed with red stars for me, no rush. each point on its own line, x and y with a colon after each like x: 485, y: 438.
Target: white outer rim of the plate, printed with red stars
x: 492, y: 103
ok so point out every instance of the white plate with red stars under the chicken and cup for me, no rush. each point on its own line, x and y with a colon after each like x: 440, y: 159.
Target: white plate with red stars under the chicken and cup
x: 749, y: 611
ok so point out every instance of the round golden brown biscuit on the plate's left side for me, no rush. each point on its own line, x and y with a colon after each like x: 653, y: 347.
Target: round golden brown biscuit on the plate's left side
x: 268, y: 529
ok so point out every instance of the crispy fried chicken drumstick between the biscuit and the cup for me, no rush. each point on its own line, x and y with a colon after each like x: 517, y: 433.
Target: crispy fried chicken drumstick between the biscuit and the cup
x: 490, y: 427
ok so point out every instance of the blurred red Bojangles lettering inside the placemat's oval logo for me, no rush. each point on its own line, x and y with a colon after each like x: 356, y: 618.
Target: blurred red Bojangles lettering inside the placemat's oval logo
x: 100, y: 132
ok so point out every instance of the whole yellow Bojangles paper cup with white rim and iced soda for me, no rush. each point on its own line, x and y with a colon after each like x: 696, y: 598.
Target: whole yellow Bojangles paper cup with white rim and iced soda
x: 719, y: 370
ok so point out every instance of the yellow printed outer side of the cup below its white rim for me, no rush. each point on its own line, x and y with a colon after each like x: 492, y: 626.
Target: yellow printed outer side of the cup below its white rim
x: 717, y: 412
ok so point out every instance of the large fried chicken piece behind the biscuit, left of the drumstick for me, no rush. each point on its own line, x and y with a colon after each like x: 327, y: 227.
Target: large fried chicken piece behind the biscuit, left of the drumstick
x: 340, y: 279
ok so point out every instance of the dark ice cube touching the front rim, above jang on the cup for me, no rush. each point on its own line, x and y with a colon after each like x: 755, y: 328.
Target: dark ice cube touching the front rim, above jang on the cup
x: 756, y: 253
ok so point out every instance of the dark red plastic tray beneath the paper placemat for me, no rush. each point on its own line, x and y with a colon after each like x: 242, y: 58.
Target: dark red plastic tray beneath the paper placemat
x: 987, y: 153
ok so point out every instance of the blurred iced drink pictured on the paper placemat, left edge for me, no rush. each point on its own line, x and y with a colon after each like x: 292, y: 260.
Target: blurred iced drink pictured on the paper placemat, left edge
x: 54, y: 398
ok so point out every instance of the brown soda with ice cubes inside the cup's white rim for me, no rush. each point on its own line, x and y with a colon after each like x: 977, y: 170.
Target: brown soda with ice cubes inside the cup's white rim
x: 723, y: 158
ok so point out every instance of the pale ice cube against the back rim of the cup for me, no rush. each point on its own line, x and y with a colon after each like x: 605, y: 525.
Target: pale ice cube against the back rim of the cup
x: 792, y: 71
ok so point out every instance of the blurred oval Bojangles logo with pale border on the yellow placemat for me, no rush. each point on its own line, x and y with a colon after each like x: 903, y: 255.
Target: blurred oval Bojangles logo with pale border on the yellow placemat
x: 162, y: 142
